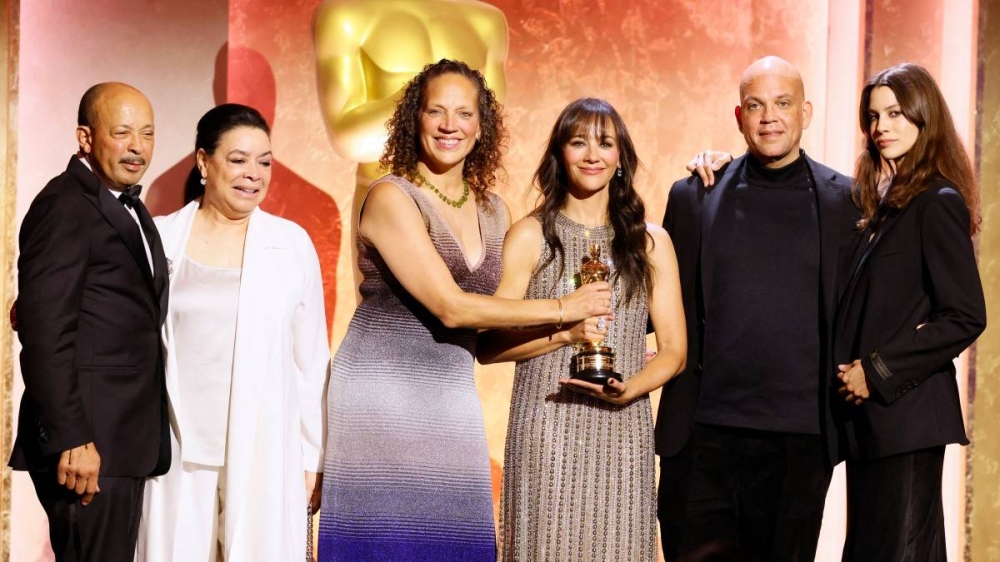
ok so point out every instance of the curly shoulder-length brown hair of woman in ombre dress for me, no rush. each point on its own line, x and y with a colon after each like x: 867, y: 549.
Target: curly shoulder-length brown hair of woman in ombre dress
x: 483, y: 166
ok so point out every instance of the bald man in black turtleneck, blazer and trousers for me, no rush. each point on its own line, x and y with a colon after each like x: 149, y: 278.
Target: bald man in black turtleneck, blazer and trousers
x: 743, y: 434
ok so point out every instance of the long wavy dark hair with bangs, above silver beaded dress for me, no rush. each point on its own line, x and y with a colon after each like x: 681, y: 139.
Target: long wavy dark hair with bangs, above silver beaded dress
x: 625, y: 209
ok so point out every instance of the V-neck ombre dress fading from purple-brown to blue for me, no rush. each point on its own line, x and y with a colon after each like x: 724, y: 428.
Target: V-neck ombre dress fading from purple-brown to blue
x: 407, y: 470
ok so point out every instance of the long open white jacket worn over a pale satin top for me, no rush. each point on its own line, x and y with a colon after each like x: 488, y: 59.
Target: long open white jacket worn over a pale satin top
x: 277, y: 411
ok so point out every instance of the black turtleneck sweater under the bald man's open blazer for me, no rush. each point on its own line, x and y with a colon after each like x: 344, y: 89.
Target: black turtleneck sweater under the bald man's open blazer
x: 762, y: 320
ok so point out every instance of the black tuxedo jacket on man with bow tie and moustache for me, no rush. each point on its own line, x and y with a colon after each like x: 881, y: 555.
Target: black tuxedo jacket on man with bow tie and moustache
x: 89, y: 315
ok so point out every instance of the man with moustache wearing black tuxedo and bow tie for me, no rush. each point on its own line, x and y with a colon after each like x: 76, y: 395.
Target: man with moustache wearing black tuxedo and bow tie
x: 92, y: 282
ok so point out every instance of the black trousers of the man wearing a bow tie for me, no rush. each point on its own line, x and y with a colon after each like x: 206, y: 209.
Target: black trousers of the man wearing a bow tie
x: 104, y: 531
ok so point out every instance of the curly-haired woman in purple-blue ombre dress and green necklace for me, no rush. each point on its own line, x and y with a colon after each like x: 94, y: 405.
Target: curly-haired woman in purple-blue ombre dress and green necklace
x: 407, y: 467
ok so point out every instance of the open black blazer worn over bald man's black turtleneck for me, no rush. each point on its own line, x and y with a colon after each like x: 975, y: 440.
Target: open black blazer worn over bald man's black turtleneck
x: 691, y: 211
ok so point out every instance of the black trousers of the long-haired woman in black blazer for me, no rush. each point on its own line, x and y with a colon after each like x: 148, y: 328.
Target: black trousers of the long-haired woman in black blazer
x: 894, y: 510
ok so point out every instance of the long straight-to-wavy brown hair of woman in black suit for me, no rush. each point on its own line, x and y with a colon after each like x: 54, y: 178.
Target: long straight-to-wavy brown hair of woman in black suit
x: 938, y: 150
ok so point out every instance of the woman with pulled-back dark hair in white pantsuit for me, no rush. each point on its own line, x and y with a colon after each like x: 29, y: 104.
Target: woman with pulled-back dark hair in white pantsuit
x: 247, y: 355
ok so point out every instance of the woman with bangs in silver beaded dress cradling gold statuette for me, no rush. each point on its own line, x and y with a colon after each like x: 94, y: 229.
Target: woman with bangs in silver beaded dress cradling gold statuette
x: 579, y: 467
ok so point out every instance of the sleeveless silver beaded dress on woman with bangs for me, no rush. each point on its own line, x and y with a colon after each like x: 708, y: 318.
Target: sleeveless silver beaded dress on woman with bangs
x: 578, y: 472
